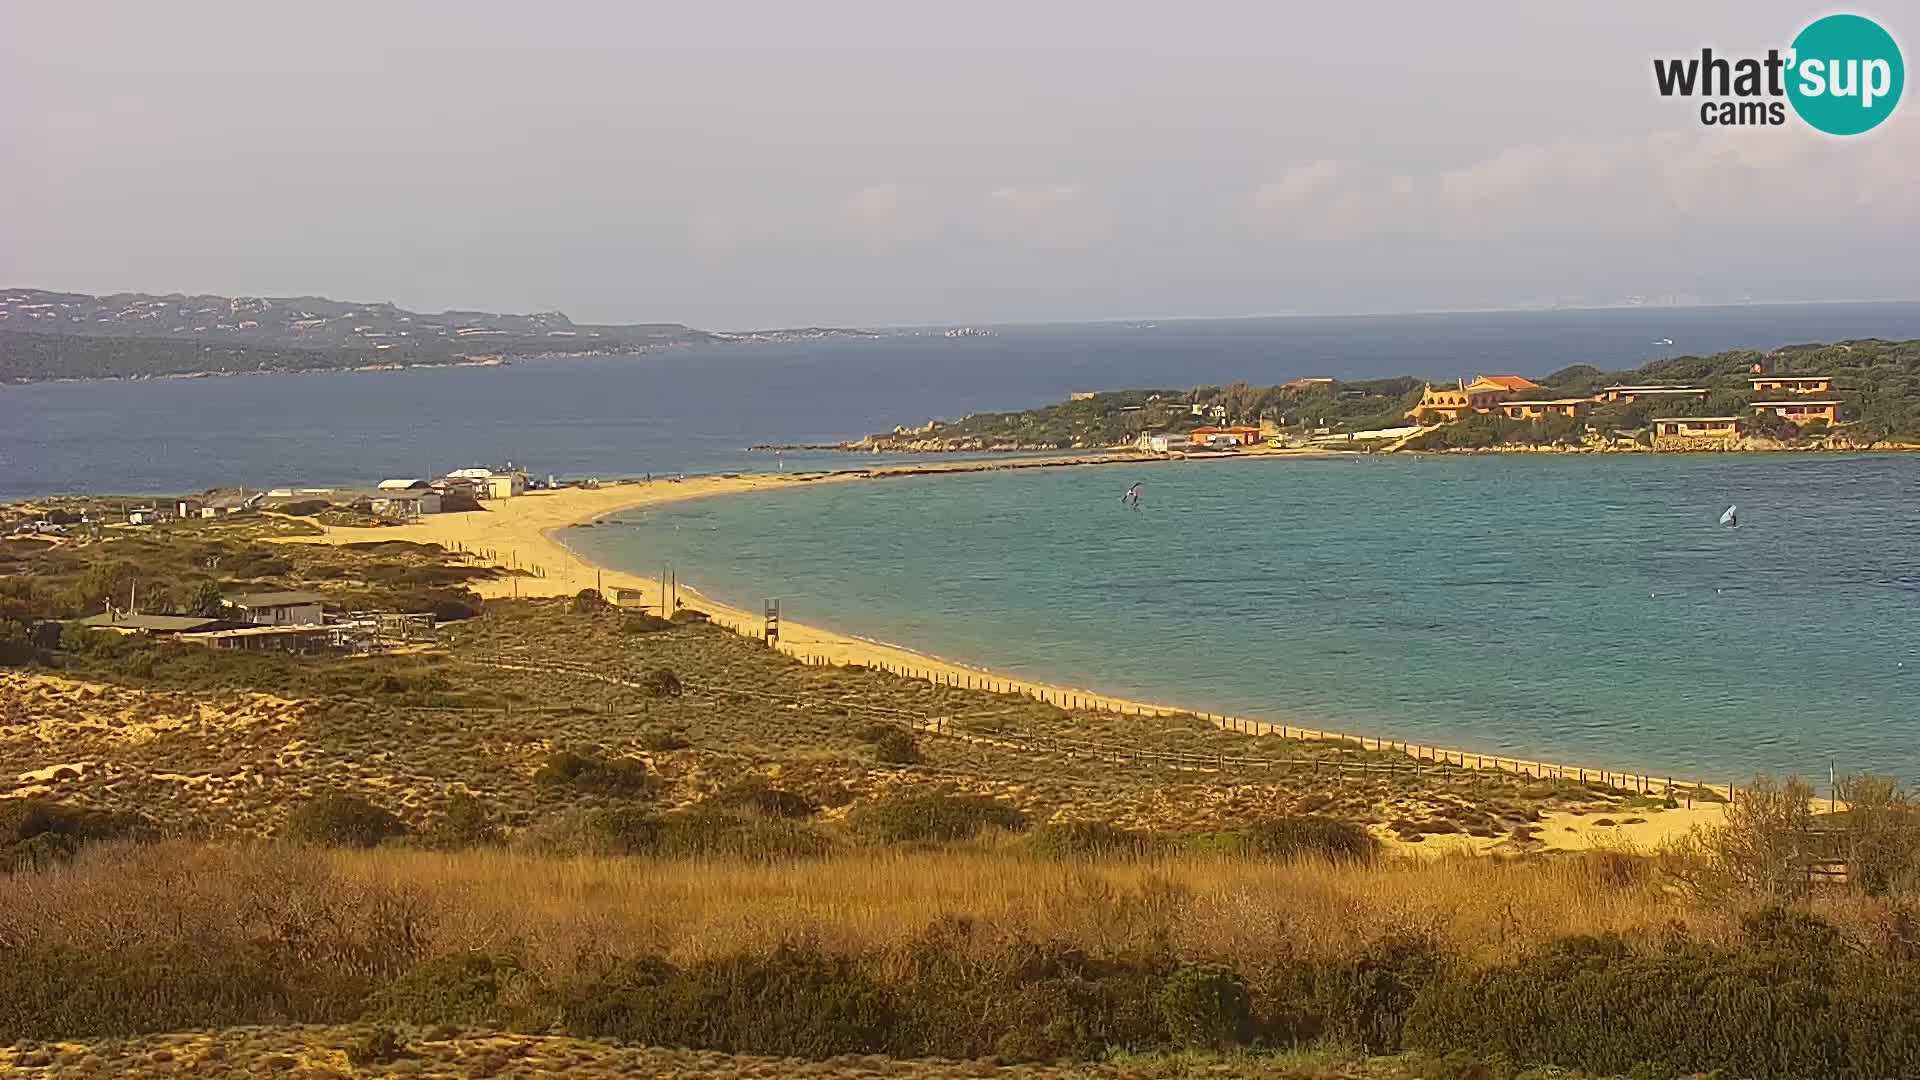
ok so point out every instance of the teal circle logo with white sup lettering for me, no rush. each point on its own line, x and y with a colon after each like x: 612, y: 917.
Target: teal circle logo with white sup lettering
x: 1846, y: 74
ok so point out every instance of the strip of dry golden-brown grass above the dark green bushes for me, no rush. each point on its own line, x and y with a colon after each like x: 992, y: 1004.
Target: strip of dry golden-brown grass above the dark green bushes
x: 564, y: 912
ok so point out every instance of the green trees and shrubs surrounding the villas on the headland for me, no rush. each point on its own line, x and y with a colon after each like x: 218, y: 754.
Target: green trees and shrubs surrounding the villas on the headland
x: 1875, y: 381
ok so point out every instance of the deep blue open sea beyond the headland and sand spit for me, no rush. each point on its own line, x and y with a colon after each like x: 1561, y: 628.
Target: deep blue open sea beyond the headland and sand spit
x: 698, y: 410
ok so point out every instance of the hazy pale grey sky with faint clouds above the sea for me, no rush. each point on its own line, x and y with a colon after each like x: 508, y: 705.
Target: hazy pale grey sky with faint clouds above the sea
x: 736, y: 166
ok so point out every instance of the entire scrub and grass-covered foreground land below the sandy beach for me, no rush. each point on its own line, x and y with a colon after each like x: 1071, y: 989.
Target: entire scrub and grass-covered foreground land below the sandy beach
x: 569, y: 831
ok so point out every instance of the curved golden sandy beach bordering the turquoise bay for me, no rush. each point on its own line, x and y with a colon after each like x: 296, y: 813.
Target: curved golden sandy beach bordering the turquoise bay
x: 527, y: 533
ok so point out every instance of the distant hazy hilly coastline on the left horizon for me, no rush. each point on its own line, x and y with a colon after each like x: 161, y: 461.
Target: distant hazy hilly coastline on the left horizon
x: 137, y: 335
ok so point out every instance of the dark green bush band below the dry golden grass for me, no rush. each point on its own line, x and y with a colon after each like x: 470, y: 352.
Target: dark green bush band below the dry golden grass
x: 1781, y: 1004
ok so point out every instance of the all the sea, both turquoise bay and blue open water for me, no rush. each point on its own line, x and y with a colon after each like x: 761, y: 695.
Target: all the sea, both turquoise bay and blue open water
x: 1564, y: 608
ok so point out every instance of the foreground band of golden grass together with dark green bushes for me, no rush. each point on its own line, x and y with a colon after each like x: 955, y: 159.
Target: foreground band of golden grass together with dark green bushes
x: 965, y: 956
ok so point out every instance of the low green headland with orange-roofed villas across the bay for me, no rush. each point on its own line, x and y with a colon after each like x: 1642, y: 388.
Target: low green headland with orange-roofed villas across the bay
x: 1854, y: 395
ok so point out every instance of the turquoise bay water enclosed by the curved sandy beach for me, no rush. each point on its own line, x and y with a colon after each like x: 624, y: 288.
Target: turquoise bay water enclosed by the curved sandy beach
x: 1583, y: 610
